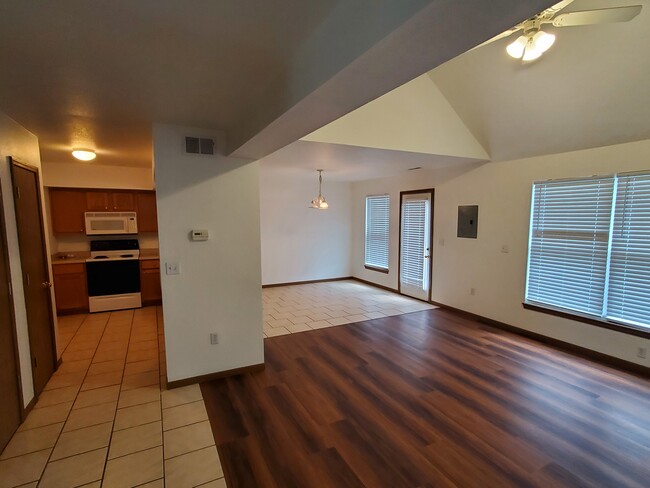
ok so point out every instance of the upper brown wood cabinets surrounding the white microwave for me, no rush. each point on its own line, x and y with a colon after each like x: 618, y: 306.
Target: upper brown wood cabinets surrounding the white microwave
x: 67, y: 207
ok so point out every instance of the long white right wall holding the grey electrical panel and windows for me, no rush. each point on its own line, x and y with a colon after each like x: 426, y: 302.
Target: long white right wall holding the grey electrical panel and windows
x: 502, y: 191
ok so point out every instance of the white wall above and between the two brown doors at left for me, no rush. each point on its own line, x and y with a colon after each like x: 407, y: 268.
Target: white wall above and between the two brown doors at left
x: 22, y: 145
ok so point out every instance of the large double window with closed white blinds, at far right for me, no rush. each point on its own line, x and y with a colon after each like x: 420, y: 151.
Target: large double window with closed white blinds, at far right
x: 589, y: 247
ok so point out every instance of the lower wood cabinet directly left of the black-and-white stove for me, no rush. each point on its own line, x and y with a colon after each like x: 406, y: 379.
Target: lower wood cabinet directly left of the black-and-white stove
x: 70, y: 287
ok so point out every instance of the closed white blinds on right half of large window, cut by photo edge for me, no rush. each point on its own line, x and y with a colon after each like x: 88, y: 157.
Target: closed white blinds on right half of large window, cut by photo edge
x: 628, y: 299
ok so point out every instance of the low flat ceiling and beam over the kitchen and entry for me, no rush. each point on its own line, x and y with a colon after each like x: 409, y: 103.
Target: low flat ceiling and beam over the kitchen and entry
x: 98, y: 74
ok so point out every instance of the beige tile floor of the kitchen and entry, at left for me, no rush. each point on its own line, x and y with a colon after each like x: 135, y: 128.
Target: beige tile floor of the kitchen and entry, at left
x: 105, y: 417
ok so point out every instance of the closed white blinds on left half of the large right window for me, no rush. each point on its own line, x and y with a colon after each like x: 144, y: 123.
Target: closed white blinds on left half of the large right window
x: 568, y: 243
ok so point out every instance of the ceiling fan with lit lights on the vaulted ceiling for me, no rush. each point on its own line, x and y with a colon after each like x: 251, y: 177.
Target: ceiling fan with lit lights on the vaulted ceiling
x: 533, y: 42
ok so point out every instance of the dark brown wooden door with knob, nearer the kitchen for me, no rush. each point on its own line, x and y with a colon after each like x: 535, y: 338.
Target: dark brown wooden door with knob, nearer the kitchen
x: 36, y: 278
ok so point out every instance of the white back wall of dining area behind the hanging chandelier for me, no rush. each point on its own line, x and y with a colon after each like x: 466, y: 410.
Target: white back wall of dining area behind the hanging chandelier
x: 300, y: 243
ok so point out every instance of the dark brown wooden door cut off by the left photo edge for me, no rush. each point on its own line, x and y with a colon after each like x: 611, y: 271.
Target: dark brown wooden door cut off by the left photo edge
x: 11, y: 406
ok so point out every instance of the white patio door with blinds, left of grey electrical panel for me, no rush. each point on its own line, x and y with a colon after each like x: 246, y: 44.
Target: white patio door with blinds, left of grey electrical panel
x: 415, y: 242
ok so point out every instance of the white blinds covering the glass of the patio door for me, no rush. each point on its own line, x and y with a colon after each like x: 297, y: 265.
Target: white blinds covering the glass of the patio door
x: 413, y: 245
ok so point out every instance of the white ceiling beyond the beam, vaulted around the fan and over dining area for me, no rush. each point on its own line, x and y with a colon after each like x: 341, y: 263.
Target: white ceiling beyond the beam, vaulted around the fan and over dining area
x: 591, y: 89
